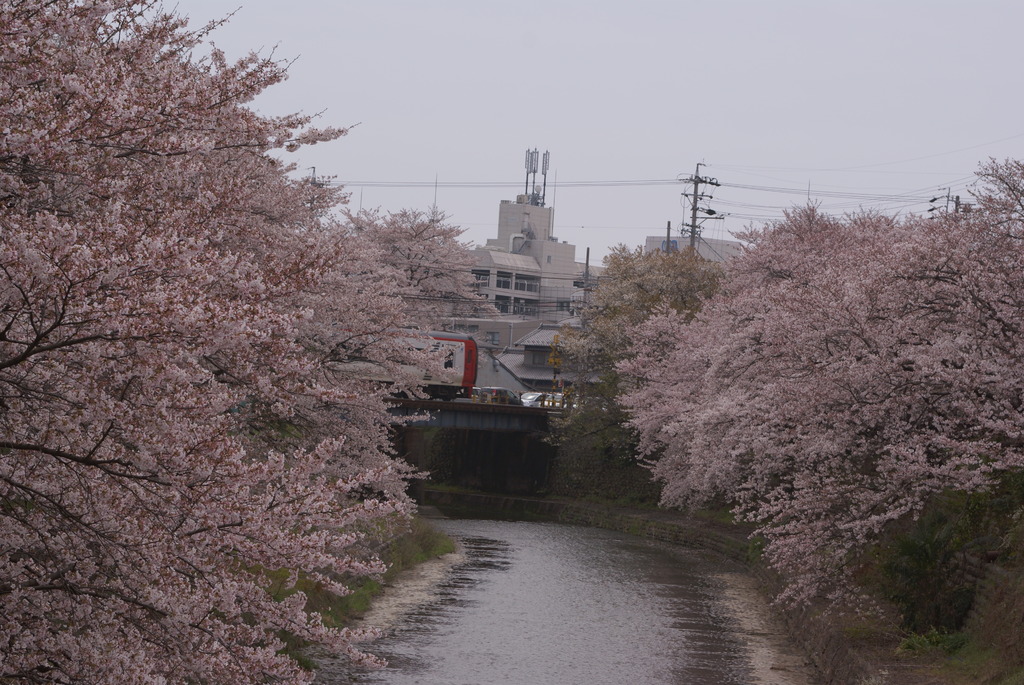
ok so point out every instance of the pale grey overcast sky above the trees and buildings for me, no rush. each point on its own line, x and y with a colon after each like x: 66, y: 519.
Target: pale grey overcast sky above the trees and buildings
x: 881, y: 104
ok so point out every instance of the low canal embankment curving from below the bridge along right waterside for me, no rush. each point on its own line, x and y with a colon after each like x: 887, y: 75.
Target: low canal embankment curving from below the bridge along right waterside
x: 844, y: 647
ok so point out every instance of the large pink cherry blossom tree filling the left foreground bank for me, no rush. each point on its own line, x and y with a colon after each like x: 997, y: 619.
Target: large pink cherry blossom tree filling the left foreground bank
x: 178, y: 420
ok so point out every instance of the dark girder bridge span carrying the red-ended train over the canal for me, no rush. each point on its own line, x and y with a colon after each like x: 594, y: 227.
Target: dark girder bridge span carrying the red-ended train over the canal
x: 473, y: 416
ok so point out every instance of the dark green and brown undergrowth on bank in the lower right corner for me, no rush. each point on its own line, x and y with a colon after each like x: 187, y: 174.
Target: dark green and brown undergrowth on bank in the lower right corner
x: 957, y: 575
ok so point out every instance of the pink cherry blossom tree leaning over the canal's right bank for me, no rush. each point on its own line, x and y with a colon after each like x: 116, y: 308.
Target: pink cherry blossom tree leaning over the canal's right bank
x: 854, y: 368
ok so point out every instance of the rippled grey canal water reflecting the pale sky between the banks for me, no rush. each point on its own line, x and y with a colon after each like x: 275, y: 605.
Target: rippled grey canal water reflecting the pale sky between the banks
x: 540, y: 604
